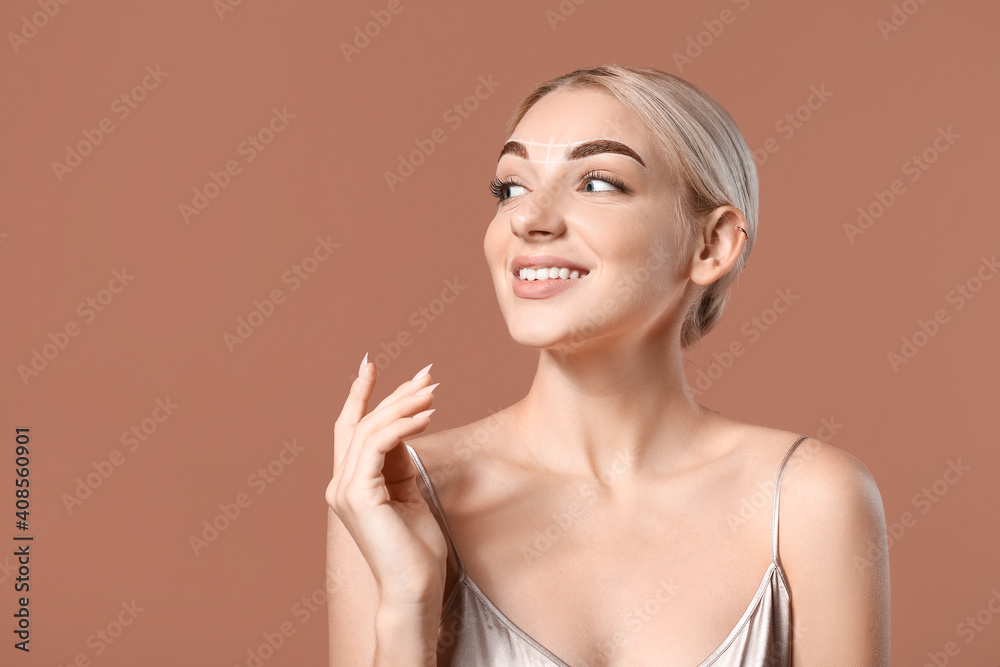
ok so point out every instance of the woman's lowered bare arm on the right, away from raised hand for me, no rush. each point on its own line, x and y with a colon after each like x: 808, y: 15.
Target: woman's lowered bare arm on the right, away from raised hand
x: 832, y: 545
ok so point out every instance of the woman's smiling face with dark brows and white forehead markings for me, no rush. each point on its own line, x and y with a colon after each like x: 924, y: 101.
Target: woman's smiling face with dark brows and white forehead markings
x: 582, y: 187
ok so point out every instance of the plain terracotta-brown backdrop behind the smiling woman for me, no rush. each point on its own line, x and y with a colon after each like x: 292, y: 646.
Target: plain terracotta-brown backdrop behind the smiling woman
x: 323, y: 176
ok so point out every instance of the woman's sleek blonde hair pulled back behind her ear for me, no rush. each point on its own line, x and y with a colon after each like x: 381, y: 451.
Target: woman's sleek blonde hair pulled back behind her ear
x: 704, y: 148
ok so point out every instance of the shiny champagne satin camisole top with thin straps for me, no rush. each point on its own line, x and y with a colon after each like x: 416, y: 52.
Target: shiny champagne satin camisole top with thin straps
x: 473, y: 632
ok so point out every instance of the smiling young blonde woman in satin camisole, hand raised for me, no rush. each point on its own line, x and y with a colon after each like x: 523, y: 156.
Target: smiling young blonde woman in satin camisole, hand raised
x: 606, y: 518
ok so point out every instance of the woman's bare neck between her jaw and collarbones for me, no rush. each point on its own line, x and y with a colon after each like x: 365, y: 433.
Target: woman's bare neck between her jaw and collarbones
x: 609, y: 414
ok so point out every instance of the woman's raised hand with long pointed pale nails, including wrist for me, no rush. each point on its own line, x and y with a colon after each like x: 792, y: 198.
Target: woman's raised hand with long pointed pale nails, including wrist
x: 374, y: 490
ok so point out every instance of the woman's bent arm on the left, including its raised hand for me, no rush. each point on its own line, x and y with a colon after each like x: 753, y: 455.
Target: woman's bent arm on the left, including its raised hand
x: 386, y: 559
